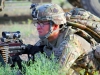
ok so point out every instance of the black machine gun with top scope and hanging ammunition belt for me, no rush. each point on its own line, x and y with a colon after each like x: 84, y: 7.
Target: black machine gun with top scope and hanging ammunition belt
x: 10, y: 45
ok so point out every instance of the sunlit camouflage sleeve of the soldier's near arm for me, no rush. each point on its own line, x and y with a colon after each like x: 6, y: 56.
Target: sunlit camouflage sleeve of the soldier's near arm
x: 72, y: 50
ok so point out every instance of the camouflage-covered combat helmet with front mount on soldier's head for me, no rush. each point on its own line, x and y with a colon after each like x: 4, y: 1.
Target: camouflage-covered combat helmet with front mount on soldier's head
x: 51, y: 12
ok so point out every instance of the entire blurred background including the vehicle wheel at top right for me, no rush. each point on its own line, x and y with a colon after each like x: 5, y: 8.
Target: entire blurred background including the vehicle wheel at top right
x: 16, y: 15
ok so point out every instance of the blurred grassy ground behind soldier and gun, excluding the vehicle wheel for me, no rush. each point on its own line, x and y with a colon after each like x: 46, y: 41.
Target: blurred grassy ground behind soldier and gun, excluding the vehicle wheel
x: 16, y: 16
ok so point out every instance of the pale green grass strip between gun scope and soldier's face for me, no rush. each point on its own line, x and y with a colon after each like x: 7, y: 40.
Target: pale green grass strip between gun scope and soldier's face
x: 26, y: 29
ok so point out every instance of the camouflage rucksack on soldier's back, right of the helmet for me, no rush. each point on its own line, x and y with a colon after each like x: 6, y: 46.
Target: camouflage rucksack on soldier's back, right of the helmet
x: 84, y: 17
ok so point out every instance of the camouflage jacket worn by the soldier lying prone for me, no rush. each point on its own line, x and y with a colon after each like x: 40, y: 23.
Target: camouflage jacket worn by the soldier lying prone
x: 74, y: 53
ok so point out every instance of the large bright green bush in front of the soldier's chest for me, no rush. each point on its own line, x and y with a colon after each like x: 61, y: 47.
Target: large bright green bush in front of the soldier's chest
x: 43, y: 66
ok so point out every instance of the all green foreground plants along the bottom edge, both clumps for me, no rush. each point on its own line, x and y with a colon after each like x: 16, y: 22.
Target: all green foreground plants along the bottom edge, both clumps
x: 41, y: 66
